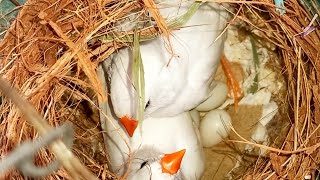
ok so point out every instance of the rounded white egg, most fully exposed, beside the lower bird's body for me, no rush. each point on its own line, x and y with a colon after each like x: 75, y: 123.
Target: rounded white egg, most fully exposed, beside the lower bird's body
x: 214, y: 127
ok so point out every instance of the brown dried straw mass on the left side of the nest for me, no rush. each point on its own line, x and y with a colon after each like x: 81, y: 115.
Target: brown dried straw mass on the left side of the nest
x: 50, y: 54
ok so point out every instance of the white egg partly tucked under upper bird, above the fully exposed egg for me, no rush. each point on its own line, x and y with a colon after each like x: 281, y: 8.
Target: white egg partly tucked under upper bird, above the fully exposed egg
x: 217, y: 97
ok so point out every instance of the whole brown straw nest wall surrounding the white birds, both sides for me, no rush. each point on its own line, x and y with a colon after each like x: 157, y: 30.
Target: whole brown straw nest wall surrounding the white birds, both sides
x: 51, y: 51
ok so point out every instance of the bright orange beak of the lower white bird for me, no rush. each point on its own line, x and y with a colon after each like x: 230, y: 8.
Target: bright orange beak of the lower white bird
x: 170, y: 163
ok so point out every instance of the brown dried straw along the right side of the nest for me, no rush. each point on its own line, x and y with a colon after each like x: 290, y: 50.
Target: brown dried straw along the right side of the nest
x: 299, y: 155
